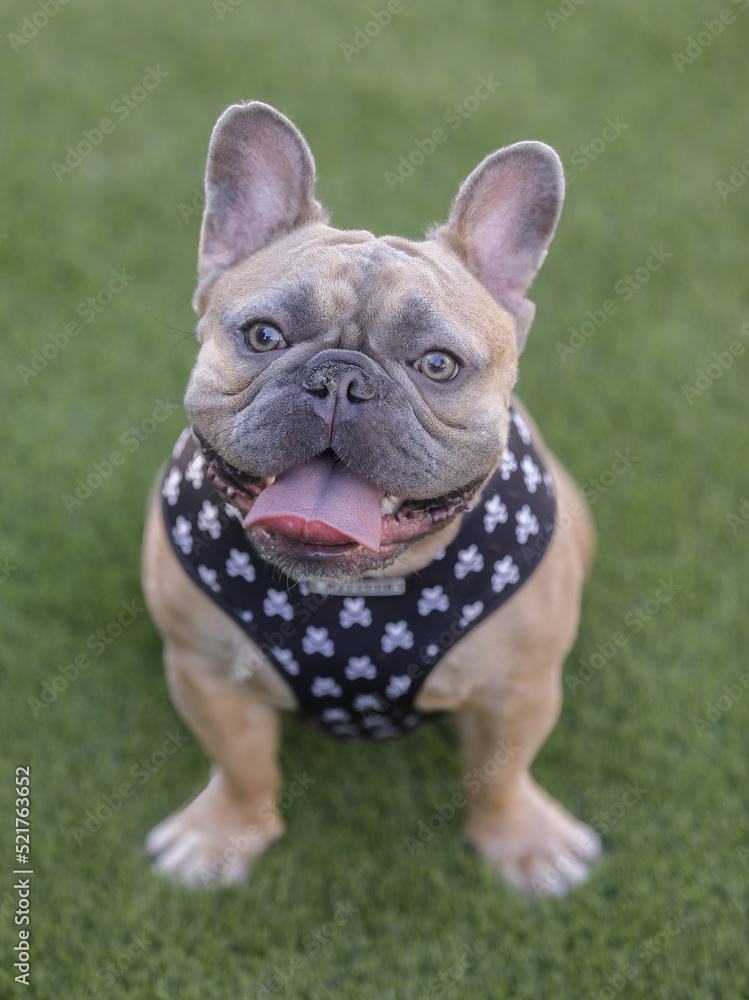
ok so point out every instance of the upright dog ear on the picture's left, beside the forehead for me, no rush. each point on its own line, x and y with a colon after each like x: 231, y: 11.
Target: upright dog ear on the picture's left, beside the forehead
x: 259, y: 185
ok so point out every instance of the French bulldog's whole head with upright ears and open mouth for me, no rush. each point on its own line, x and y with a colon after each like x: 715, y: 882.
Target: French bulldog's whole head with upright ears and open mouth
x: 351, y: 392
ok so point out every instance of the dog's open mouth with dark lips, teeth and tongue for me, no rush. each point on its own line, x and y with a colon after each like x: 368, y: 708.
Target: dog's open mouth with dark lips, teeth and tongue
x: 322, y: 510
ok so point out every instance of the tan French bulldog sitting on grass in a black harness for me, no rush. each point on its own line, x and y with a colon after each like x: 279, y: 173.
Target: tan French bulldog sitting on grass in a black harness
x: 362, y: 524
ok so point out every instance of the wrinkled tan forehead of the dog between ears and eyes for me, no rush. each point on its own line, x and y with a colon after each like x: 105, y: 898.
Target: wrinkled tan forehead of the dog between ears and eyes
x: 319, y: 274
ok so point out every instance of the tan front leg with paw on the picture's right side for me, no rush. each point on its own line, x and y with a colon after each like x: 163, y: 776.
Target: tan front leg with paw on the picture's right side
x: 534, y: 843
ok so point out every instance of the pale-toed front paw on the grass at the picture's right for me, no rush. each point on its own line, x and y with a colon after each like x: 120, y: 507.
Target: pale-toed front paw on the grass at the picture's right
x: 535, y: 844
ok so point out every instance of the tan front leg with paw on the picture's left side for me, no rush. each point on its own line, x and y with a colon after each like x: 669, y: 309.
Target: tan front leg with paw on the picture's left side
x: 212, y: 838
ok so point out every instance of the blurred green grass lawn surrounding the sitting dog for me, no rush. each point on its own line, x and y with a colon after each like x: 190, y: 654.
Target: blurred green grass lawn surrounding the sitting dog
x: 679, y: 848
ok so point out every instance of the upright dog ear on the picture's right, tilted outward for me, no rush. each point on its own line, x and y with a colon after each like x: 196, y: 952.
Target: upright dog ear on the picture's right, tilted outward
x: 502, y: 222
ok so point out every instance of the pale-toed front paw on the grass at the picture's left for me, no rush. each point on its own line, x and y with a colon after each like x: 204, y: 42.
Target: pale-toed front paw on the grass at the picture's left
x: 211, y: 841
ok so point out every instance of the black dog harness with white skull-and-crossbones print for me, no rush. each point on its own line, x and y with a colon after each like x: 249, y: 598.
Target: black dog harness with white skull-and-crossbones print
x: 356, y: 662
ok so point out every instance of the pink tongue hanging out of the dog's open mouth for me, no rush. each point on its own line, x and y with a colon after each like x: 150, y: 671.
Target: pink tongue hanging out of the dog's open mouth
x: 321, y: 501
